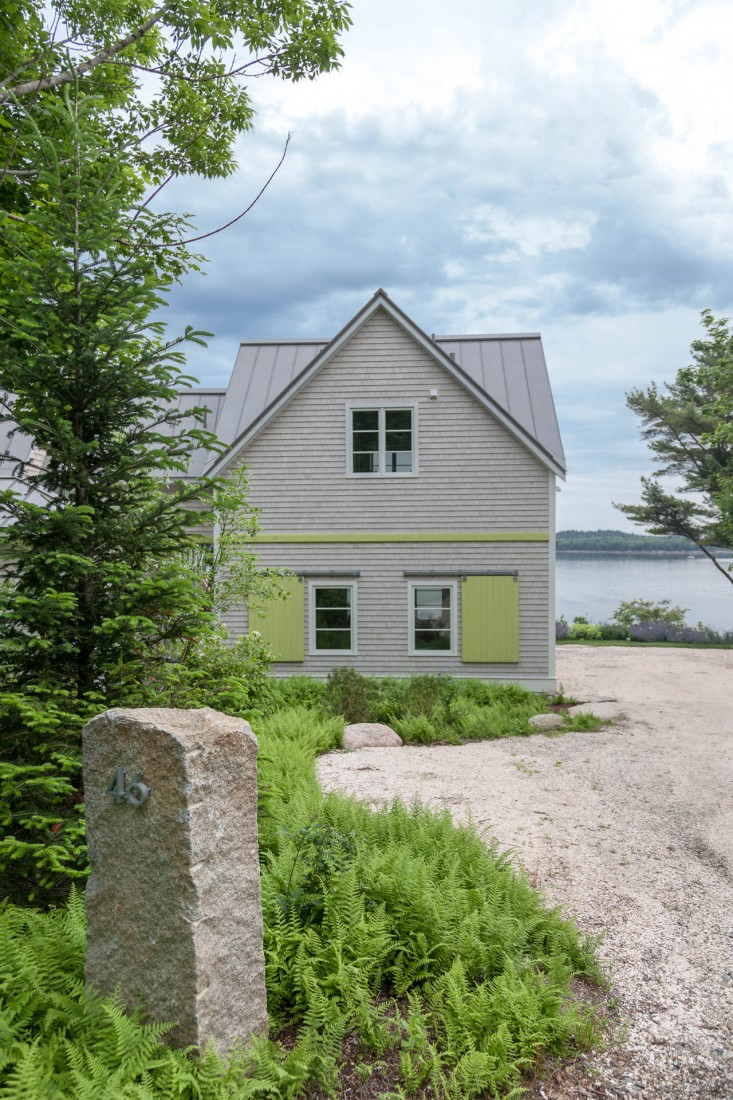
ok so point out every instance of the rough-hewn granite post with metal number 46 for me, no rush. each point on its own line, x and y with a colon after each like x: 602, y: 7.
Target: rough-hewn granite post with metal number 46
x: 173, y: 903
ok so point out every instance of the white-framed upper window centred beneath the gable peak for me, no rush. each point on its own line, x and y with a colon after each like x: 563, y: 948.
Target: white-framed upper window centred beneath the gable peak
x: 382, y: 441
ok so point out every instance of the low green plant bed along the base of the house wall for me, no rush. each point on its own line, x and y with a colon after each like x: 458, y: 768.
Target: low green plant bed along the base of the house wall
x: 423, y: 710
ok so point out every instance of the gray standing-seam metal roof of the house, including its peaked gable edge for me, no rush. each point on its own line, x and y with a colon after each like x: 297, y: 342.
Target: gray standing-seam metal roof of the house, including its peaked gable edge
x: 508, y: 375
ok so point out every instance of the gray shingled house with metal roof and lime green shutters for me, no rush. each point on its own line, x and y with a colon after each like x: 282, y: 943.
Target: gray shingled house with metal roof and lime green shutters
x: 409, y: 483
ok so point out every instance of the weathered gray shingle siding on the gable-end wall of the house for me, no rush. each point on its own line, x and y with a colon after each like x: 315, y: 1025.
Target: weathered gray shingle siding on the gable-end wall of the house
x: 475, y: 477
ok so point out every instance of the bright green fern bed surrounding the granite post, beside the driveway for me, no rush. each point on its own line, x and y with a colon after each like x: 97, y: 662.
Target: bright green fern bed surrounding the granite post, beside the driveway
x: 393, y: 932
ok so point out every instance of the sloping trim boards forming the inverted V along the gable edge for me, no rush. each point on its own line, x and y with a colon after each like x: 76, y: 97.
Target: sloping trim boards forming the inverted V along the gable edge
x: 380, y: 301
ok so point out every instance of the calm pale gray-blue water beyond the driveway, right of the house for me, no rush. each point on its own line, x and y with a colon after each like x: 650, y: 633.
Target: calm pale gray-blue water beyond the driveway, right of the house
x: 595, y: 585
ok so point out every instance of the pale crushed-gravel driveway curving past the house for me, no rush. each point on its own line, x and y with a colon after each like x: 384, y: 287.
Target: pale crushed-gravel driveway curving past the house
x: 631, y: 831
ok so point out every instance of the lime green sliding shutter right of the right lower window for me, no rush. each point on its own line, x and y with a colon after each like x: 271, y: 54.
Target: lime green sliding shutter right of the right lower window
x: 490, y: 620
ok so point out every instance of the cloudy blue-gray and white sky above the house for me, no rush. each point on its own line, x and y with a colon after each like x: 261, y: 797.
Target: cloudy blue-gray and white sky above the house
x: 509, y: 167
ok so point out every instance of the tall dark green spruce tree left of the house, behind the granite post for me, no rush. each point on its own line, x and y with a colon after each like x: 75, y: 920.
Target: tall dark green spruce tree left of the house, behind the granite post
x: 104, y: 590
